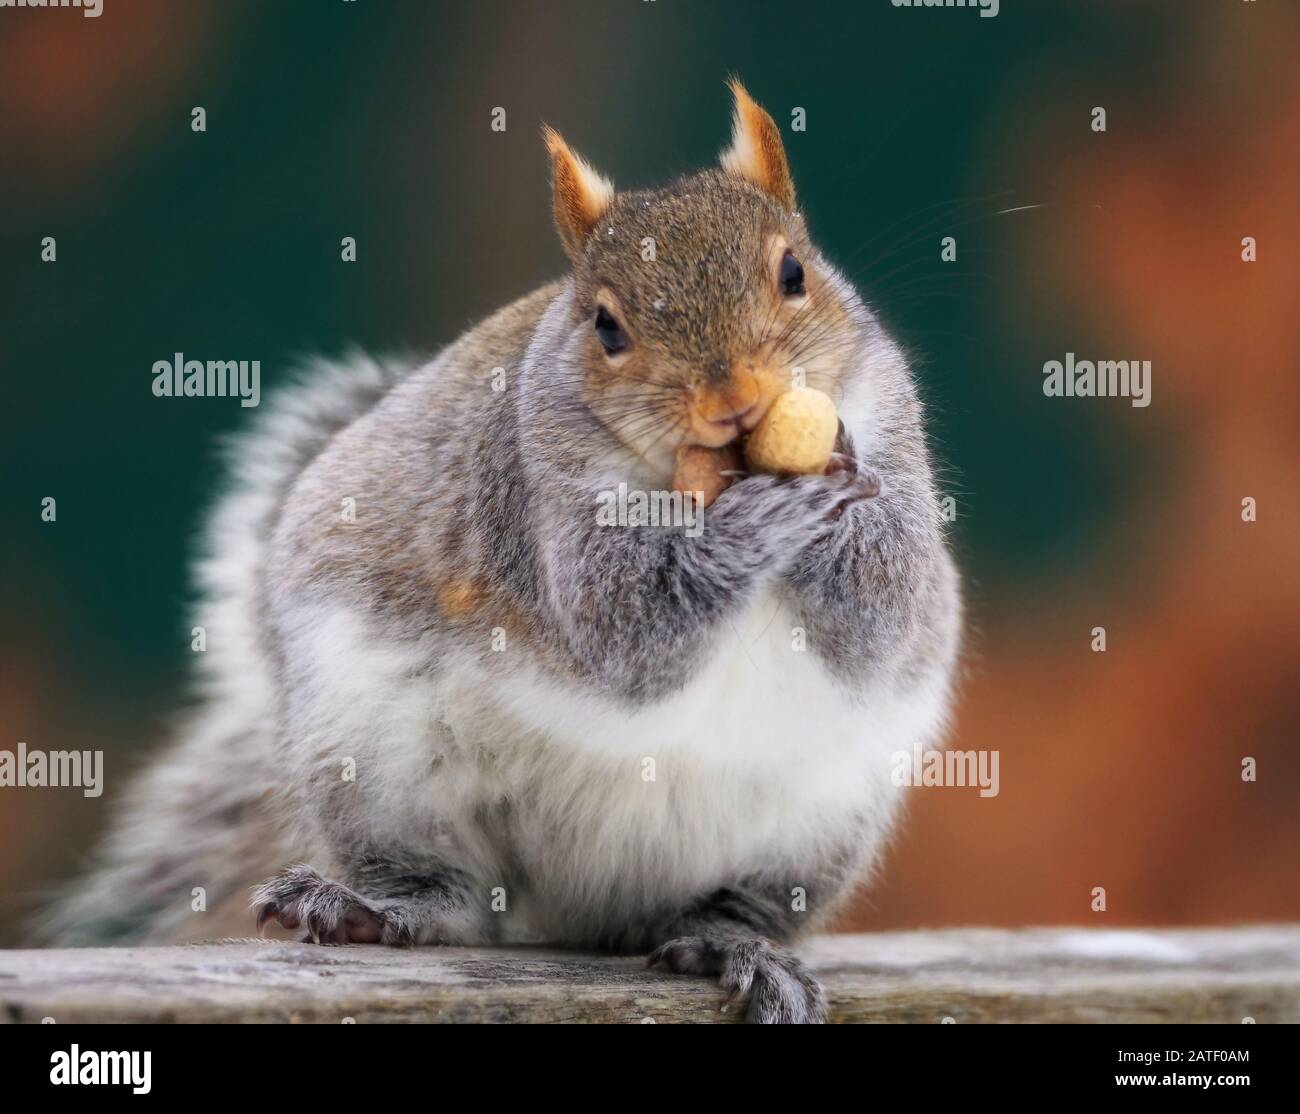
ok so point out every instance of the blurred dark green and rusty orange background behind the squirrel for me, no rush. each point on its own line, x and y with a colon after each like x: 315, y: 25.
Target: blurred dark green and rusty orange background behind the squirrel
x: 372, y: 120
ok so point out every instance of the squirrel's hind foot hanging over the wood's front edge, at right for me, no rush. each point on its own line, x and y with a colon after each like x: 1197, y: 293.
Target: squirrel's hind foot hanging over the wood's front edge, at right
x: 775, y: 983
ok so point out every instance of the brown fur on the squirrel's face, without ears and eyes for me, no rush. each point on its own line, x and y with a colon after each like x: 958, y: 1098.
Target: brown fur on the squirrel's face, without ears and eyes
x: 713, y: 341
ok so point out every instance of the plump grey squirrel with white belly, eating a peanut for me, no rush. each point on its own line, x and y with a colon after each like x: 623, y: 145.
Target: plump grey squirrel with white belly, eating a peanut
x: 443, y: 704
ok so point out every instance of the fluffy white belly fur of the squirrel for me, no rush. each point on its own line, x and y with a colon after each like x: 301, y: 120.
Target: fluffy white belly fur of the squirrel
x: 764, y: 758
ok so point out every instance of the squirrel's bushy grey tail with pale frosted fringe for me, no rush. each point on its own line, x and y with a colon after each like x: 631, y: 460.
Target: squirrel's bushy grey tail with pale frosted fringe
x: 197, y: 823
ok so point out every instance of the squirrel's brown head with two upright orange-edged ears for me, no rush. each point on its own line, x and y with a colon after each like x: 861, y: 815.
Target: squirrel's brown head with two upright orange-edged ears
x: 699, y: 304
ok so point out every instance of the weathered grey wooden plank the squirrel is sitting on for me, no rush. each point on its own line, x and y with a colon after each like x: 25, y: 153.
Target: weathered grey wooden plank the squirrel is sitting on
x: 969, y: 976
